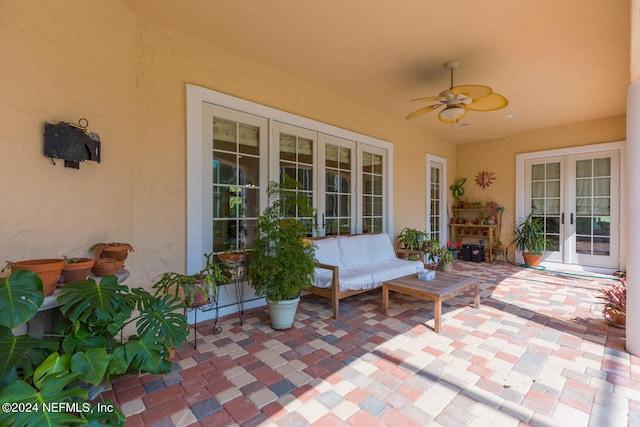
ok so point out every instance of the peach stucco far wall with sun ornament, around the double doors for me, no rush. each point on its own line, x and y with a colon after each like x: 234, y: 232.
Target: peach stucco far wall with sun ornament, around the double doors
x: 499, y: 156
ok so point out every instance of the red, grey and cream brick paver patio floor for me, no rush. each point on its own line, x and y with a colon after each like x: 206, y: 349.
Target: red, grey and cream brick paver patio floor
x: 535, y: 353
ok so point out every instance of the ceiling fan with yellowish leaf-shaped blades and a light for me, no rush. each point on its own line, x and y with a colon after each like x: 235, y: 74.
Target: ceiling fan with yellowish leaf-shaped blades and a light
x: 458, y: 100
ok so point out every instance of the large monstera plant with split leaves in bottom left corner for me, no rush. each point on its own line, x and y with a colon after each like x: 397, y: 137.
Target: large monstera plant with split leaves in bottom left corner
x: 36, y: 372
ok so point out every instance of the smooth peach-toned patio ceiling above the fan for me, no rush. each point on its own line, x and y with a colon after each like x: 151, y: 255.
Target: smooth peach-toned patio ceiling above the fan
x: 556, y: 61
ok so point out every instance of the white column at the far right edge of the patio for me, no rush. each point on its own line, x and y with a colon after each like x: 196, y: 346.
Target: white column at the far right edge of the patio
x: 632, y: 208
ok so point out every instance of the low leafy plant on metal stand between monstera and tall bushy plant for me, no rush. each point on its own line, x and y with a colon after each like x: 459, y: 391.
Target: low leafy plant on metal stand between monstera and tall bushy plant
x: 196, y: 289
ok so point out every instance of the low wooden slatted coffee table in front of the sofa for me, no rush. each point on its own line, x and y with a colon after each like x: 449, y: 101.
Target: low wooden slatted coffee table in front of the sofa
x: 444, y: 286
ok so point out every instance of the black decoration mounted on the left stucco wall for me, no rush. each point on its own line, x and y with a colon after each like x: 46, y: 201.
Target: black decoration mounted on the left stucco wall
x: 71, y: 143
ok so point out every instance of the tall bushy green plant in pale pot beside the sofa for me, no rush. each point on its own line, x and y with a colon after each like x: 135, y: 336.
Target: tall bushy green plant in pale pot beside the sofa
x: 281, y: 261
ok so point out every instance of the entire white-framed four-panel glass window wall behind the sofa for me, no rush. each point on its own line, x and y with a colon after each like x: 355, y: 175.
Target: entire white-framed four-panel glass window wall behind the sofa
x: 236, y: 147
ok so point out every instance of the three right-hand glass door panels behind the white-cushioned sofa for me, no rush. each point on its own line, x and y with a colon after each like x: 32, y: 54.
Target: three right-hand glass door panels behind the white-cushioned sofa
x: 331, y: 169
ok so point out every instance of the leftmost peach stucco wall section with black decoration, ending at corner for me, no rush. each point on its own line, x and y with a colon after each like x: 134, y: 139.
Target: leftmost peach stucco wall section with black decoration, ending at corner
x: 63, y: 61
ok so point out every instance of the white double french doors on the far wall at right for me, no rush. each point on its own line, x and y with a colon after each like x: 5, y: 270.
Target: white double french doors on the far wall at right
x: 577, y: 198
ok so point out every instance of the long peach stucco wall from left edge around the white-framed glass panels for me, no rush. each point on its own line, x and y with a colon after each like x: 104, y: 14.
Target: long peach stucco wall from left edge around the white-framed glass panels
x: 72, y: 59
